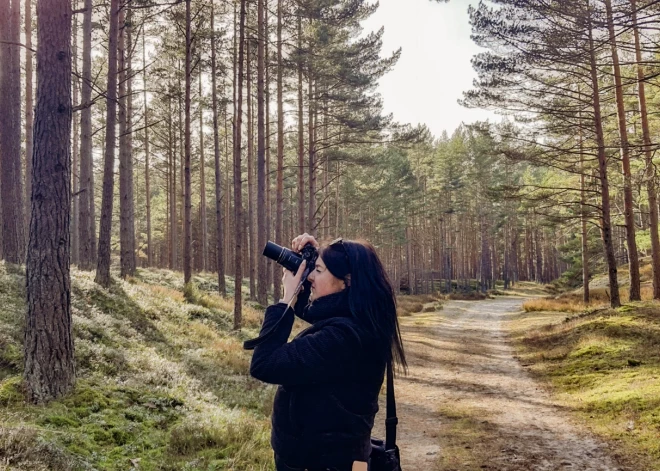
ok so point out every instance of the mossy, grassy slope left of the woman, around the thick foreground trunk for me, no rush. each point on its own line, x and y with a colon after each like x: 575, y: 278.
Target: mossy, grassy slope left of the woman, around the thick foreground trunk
x: 162, y: 384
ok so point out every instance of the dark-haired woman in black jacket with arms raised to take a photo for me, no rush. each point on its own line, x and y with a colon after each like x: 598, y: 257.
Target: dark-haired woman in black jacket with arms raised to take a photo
x: 331, y: 373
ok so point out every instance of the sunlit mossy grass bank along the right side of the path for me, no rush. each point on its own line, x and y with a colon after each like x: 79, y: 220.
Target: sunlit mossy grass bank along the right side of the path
x: 605, y: 365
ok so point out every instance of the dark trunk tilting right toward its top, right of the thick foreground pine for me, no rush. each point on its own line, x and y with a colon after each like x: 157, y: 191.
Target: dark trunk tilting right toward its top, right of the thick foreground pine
x: 103, y: 262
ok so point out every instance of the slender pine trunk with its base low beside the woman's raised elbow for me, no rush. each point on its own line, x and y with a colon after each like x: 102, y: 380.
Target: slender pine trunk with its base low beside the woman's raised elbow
x: 238, y: 222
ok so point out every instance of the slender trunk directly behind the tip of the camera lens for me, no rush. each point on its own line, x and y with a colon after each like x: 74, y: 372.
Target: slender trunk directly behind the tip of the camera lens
x: 262, y: 285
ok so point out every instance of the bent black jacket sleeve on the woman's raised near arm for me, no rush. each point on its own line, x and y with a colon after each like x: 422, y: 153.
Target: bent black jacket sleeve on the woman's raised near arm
x: 322, y: 357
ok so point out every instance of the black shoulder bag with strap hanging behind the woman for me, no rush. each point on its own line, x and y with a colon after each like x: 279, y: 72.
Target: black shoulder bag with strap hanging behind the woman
x: 385, y: 455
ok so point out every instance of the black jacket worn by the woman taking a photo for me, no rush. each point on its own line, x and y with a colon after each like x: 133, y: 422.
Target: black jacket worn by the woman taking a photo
x: 329, y: 376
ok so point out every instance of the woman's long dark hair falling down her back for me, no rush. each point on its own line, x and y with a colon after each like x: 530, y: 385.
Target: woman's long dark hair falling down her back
x: 371, y: 296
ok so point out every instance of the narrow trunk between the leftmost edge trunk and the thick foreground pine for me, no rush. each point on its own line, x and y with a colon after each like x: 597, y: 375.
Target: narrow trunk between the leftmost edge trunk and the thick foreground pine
x: 29, y: 107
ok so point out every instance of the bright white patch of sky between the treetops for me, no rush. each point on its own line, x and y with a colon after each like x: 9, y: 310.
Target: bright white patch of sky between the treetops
x: 434, y: 68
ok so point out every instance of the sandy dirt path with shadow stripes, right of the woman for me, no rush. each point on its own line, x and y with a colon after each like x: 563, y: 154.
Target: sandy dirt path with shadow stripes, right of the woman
x: 463, y: 377
